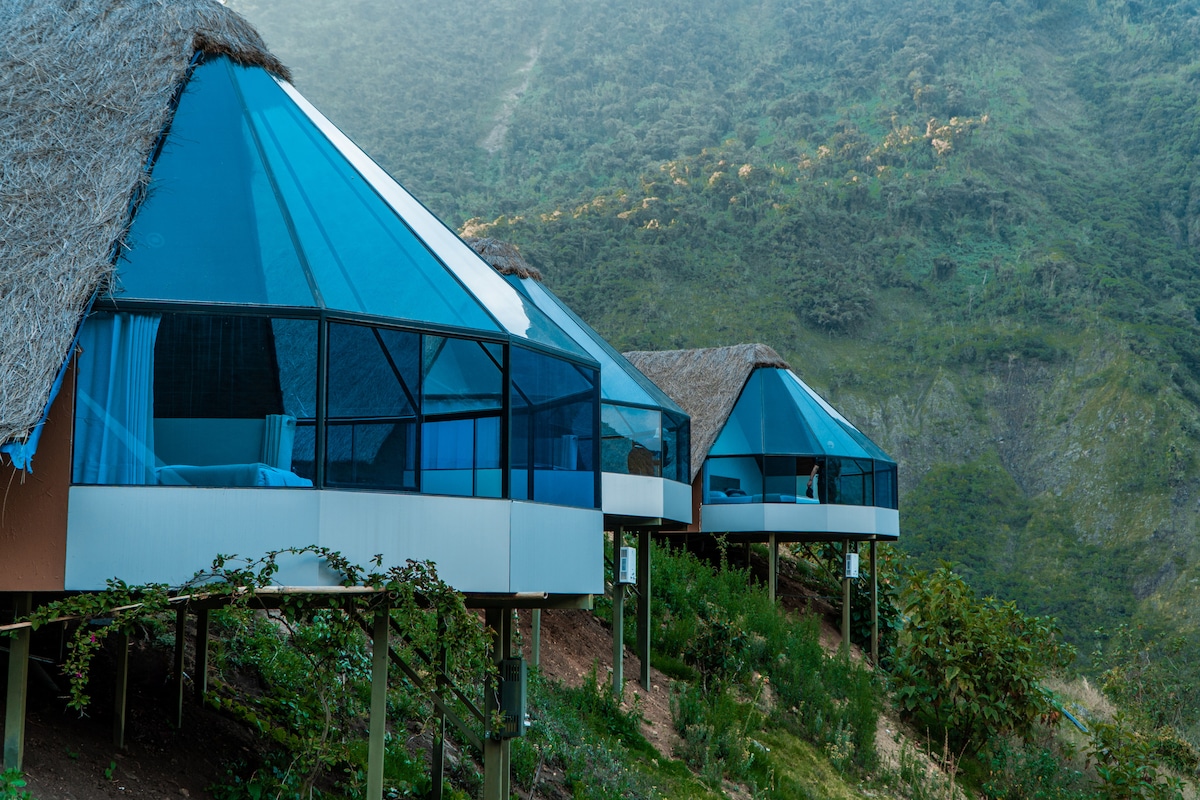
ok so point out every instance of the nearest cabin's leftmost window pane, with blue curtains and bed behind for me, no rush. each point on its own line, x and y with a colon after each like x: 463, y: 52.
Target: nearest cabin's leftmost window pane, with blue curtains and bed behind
x: 184, y: 400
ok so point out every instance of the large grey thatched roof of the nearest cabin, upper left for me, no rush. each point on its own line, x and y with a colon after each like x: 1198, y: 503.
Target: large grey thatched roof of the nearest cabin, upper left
x: 87, y: 89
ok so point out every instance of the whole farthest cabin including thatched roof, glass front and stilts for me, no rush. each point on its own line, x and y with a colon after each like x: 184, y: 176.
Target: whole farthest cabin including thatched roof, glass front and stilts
x: 773, y: 462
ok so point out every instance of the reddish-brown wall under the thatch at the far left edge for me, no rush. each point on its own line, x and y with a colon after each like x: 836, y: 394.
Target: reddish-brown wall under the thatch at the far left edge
x: 34, y: 506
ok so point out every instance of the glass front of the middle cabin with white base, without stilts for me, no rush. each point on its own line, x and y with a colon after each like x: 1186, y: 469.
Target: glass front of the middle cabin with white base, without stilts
x: 645, y: 436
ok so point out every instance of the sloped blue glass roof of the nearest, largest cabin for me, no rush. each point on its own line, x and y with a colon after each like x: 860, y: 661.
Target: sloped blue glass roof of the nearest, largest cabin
x: 259, y: 200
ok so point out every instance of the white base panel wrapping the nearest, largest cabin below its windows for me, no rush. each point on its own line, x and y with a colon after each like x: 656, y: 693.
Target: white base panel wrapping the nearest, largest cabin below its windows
x: 169, y: 534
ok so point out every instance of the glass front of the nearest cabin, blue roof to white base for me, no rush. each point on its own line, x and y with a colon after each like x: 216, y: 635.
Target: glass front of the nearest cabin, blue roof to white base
x: 296, y: 352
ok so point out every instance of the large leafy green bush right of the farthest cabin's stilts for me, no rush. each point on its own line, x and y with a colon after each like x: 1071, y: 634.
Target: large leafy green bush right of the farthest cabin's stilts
x: 970, y: 671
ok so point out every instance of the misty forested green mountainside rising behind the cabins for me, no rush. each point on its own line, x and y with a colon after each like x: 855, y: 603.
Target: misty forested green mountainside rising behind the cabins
x: 974, y: 226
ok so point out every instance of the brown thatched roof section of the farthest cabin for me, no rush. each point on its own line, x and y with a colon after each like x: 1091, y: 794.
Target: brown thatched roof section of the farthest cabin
x: 706, y: 383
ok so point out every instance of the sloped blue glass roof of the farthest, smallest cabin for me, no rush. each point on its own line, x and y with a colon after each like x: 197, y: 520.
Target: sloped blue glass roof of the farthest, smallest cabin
x: 778, y: 414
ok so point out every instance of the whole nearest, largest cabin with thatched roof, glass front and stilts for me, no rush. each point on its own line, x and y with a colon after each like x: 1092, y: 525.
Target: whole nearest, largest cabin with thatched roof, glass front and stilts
x: 226, y: 329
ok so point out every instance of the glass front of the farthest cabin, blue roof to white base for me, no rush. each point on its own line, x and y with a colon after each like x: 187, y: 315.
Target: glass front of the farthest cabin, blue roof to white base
x: 787, y: 461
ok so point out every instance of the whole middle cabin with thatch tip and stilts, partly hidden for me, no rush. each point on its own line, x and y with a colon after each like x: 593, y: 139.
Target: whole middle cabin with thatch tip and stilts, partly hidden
x: 645, y: 452
